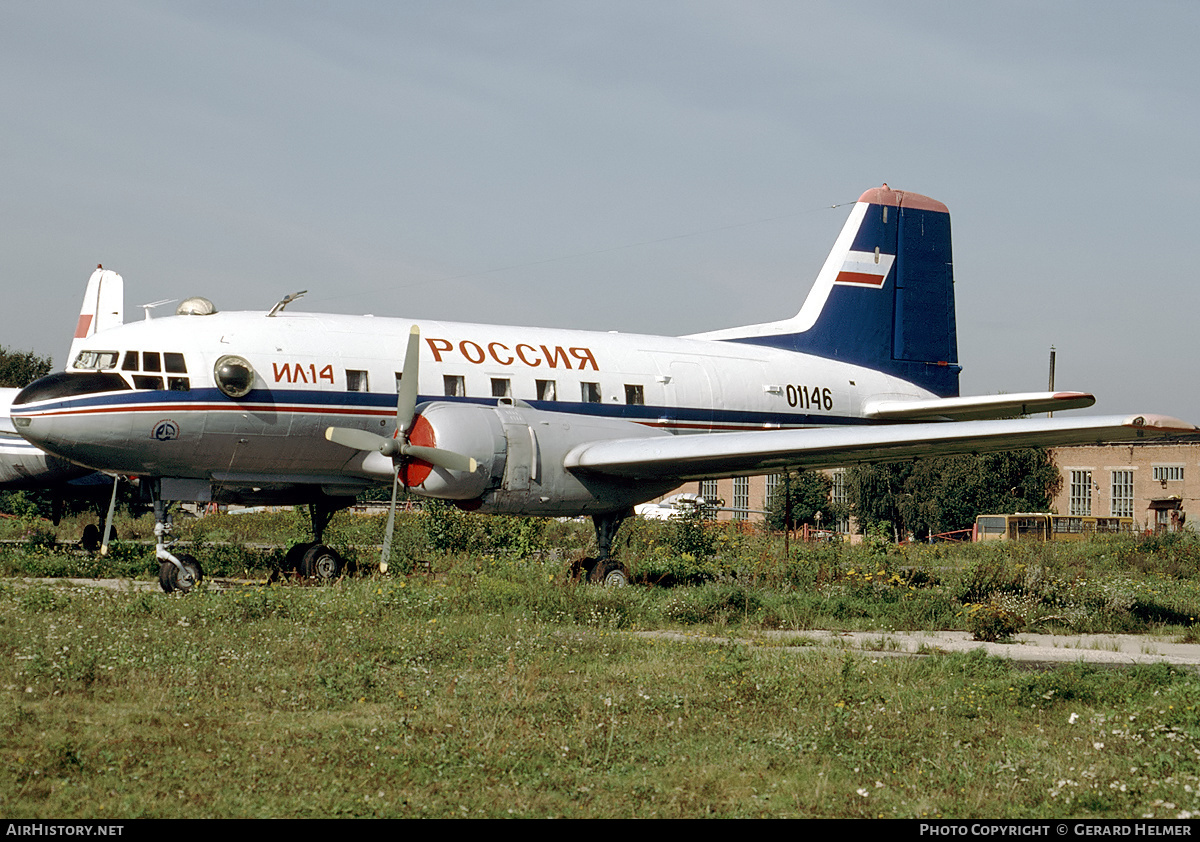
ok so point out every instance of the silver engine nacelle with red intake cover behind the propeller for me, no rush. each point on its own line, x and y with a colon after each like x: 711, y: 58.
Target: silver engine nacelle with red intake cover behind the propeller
x: 520, y: 453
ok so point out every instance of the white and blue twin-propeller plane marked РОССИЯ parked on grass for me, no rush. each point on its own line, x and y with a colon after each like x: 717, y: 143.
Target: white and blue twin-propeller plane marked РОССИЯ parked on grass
x: 309, y: 408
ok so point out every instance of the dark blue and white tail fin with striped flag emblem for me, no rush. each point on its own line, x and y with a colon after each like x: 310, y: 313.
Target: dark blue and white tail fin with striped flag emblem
x: 885, y: 298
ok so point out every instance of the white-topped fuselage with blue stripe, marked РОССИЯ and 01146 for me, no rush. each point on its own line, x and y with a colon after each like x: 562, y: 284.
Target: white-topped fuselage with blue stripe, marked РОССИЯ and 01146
x: 155, y: 407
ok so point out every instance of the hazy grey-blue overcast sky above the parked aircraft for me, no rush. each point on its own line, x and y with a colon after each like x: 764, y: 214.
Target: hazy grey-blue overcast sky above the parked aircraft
x: 649, y: 167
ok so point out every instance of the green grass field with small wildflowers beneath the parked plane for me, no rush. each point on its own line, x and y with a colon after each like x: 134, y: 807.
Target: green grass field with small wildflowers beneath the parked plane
x: 491, y: 688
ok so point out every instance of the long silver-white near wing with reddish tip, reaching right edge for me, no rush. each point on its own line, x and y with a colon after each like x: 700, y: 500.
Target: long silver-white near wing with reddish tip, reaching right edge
x: 695, y: 458
